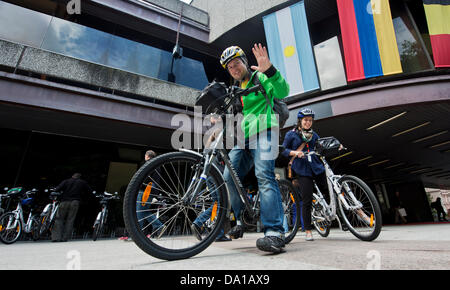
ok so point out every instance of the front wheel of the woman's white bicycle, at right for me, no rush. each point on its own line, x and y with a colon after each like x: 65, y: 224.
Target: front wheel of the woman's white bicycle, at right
x: 363, y: 218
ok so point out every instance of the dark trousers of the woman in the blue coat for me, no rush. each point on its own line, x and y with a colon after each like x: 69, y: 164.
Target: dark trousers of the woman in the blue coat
x: 306, y: 186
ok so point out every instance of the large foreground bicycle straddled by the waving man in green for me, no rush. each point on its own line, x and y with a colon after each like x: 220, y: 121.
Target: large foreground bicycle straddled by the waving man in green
x: 190, y: 183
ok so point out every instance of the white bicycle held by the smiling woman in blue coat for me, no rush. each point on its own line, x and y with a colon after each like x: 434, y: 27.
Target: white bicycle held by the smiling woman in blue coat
x: 358, y: 206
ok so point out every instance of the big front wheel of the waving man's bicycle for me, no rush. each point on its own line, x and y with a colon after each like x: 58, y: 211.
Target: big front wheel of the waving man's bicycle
x: 157, y: 217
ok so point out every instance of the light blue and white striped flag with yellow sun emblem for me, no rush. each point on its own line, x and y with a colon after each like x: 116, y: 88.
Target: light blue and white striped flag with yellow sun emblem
x: 290, y: 49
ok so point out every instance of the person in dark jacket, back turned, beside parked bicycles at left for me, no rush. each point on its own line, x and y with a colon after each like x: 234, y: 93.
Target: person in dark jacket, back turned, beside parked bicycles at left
x: 73, y: 189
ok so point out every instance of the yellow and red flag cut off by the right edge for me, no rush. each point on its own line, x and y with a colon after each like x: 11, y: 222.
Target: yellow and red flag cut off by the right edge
x: 438, y: 19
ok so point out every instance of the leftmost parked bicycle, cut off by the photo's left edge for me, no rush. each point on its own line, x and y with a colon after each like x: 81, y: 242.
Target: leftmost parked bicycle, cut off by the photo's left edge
x: 12, y: 223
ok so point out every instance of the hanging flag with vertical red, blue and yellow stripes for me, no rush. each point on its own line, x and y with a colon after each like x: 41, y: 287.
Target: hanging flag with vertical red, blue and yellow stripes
x: 370, y: 47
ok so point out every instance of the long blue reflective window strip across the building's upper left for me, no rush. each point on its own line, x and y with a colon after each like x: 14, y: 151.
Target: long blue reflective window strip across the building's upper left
x: 60, y: 36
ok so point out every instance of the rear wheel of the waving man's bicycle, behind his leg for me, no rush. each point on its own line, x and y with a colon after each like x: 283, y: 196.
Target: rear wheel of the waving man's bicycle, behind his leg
x: 291, y: 207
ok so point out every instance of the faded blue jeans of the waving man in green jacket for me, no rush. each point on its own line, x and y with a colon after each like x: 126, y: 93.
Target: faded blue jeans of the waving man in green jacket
x: 257, y: 152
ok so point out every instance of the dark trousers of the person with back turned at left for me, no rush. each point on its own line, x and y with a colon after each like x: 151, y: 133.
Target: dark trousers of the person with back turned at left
x: 65, y: 217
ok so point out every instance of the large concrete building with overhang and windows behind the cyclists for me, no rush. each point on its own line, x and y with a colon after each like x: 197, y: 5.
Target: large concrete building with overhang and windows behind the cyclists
x: 89, y: 86
